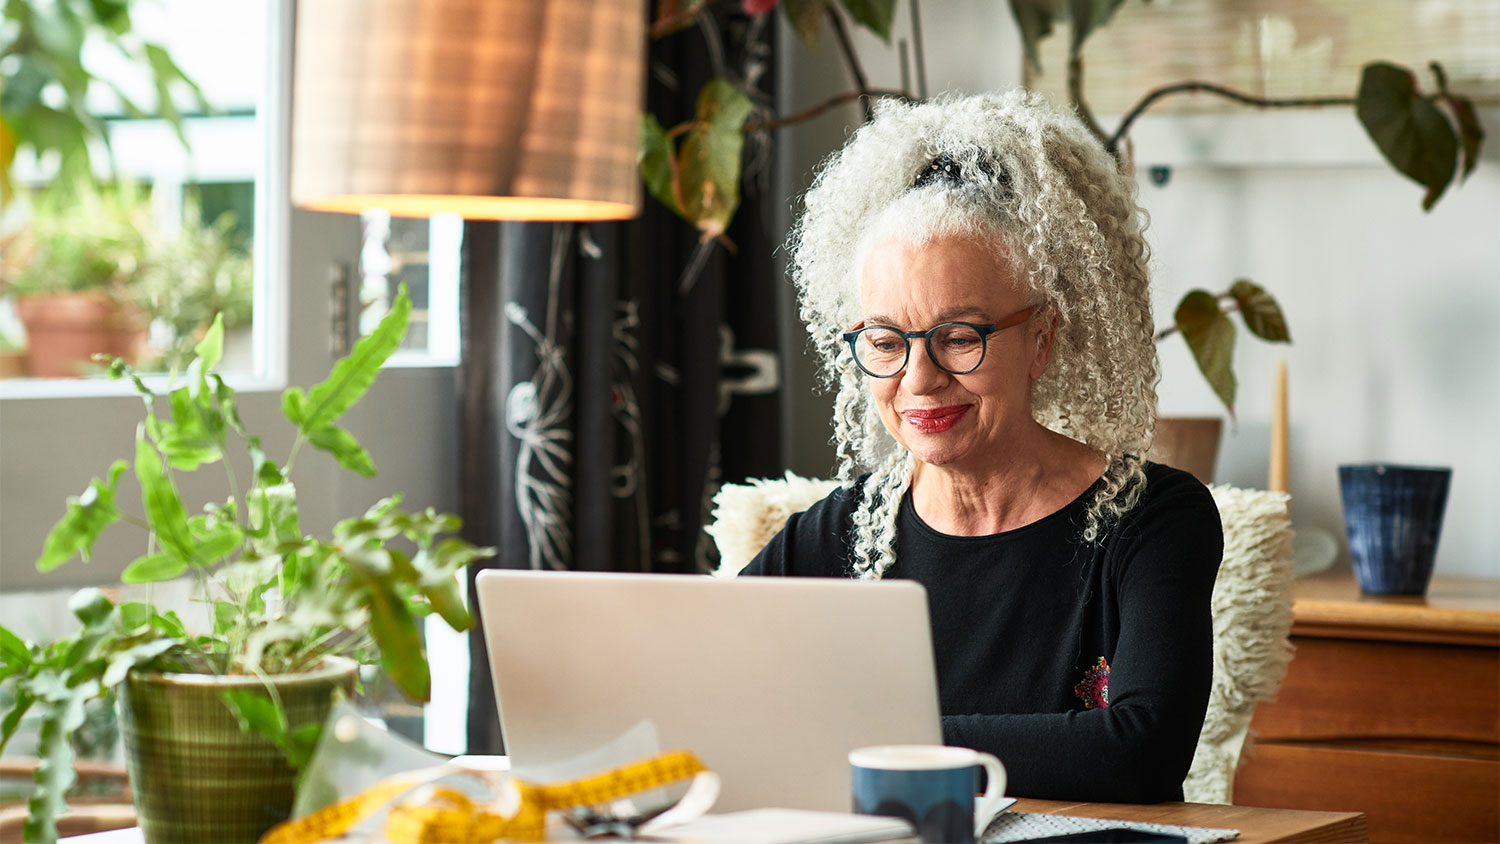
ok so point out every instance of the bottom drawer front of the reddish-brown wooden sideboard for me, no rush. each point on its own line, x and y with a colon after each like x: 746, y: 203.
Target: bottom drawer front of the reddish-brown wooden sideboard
x: 1406, y: 797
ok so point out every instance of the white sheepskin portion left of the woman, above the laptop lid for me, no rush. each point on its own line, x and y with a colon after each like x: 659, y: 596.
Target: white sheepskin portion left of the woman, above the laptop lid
x: 746, y: 516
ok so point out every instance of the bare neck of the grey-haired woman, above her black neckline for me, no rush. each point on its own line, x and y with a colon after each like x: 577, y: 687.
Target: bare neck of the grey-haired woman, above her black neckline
x: 1039, y: 476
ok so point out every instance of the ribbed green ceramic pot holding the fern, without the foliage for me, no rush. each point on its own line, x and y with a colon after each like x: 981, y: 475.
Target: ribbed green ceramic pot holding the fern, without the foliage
x: 194, y: 774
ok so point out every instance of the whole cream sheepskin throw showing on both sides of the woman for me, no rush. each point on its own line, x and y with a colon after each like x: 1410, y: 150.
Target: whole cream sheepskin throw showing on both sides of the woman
x: 1252, y: 605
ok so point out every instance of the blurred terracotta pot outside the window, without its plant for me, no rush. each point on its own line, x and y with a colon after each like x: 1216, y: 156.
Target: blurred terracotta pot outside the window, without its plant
x: 64, y: 332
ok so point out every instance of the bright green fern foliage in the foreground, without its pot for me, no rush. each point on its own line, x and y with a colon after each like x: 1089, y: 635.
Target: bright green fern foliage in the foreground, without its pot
x: 278, y: 602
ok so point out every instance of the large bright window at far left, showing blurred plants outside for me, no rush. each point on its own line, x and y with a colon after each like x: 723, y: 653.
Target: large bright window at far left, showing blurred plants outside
x: 182, y: 241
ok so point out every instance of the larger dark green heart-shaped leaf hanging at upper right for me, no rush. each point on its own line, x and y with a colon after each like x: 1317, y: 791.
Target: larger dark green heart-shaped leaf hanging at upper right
x: 1408, y: 128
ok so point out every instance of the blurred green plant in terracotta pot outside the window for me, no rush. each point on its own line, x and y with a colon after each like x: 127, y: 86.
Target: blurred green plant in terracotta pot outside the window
x: 71, y: 275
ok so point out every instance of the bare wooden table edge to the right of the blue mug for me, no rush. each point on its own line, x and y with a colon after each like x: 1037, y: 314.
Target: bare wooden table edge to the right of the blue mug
x: 1255, y: 825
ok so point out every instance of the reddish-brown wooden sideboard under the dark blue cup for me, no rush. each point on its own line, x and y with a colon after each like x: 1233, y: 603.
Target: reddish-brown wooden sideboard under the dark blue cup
x: 1391, y: 708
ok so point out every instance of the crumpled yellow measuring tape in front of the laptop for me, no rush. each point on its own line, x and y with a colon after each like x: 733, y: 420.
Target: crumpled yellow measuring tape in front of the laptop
x: 449, y: 816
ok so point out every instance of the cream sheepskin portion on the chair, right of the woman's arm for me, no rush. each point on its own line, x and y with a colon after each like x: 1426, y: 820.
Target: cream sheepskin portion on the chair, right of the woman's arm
x: 1252, y: 621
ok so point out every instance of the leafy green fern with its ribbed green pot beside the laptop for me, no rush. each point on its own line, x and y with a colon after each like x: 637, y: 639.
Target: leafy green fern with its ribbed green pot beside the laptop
x: 218, y: 719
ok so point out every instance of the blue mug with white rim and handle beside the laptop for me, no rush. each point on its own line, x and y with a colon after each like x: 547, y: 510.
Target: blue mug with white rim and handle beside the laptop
x: 931, y: 786
